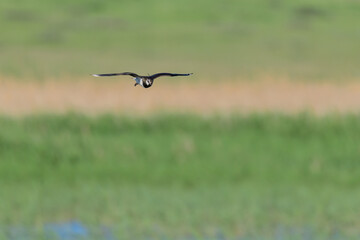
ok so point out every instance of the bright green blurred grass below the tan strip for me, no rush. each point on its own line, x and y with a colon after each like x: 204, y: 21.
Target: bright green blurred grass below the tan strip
x: 172, y: 175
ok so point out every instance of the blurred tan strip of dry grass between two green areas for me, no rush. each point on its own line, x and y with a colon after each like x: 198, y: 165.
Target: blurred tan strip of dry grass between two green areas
x: 120, y: 96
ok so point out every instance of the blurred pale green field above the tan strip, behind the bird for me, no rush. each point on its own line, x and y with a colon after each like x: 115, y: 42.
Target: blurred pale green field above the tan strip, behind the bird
x: 298, y: 39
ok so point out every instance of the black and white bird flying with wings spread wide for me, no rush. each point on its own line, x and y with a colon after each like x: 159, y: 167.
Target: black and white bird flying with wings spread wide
x: 144, y: 81
